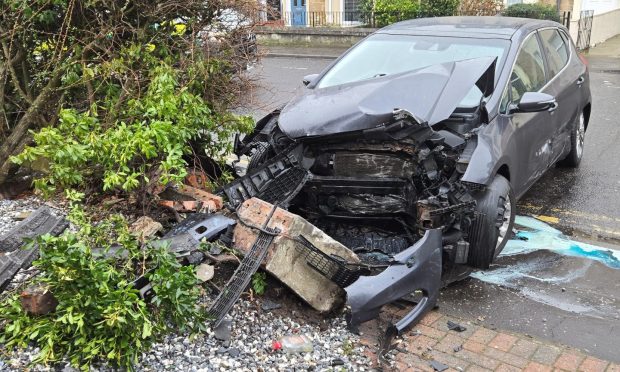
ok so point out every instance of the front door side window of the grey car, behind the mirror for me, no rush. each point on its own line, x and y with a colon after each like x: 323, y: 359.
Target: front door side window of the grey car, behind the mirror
x: 528, y: 74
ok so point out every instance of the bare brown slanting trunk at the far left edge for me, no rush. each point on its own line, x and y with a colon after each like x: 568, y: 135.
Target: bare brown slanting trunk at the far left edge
x: 18, y: 138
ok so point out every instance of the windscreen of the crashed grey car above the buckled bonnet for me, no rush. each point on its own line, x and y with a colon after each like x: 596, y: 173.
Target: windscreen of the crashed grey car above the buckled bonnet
x: 386, y: 54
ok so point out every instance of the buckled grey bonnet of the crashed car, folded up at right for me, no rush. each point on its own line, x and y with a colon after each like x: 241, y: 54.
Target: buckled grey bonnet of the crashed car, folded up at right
x: 431, y: 94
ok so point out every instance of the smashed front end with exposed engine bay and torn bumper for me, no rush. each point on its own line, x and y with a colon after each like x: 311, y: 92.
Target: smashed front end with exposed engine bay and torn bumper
x: 390, y: 194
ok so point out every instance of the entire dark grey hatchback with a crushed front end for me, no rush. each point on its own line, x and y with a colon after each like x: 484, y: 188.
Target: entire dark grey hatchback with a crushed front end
x: 412, y: 148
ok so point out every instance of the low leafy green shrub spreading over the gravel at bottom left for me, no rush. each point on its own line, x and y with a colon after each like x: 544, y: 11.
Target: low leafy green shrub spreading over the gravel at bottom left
x: 100, y: 316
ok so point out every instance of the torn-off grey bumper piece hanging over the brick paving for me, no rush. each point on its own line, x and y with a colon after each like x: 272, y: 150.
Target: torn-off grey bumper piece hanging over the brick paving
x: 418, y: 268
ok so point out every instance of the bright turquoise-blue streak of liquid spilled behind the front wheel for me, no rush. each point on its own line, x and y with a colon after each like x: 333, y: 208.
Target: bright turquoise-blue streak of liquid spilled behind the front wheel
x: 533, y: 234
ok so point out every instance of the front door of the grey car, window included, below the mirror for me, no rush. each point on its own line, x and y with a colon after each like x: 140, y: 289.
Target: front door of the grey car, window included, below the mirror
x: 532, y: 130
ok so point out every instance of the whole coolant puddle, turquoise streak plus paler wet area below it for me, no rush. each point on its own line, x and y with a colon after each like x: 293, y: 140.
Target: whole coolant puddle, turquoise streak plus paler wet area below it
x: 544, y: 265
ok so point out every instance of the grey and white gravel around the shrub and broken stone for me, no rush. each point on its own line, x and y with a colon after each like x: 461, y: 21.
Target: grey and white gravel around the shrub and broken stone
x: 249, y: 348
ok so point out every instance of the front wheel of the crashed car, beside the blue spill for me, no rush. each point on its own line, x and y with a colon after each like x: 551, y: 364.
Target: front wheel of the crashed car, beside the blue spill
x: 496, y: 208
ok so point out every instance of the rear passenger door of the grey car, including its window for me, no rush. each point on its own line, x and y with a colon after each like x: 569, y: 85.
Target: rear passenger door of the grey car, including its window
x: 563, y: 83
